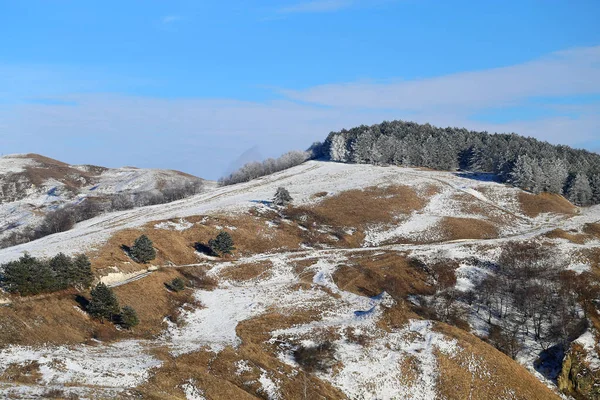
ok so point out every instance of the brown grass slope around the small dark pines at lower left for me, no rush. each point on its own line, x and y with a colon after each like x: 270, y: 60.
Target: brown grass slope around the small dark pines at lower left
x: 59, y: 319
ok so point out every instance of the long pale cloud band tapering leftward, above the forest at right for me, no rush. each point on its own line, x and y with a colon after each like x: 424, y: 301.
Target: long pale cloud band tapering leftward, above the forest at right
x: 572, y: 72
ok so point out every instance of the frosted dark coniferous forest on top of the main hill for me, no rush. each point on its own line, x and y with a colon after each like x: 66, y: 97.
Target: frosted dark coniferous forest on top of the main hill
x: 524, y: 162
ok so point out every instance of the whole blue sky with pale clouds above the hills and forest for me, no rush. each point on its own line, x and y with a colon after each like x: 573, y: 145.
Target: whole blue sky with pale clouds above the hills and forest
x: 192, y: 85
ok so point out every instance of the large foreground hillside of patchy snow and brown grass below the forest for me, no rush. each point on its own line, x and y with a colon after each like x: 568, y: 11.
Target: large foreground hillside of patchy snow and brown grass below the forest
x: 380, y: 266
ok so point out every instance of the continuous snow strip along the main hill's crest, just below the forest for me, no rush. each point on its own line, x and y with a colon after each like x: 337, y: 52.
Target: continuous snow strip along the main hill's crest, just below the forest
x: 303, y: 182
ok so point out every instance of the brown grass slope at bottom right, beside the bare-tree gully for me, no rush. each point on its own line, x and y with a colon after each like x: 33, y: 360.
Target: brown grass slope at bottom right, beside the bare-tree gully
x: 493, y: 374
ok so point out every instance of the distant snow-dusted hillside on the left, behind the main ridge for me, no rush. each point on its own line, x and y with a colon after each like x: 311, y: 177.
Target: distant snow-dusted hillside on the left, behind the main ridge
x: 31, y: 186
